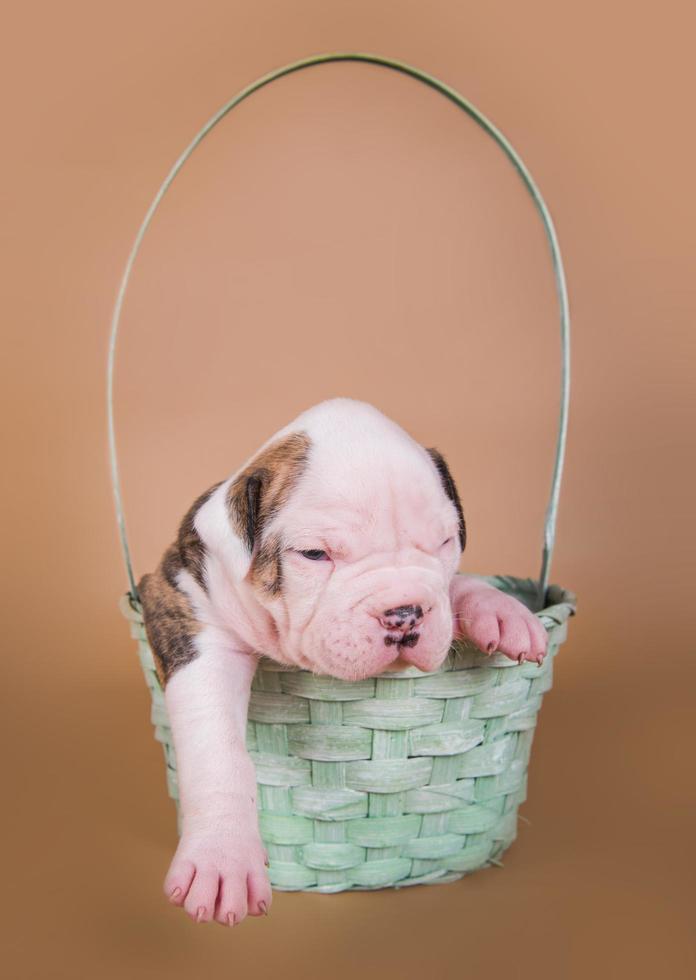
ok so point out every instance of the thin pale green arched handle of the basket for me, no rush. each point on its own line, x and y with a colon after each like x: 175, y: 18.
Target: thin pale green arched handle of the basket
x: 561, y: 290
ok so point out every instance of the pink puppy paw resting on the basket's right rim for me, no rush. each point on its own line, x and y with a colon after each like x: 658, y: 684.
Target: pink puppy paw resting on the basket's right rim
x: 494, y: 621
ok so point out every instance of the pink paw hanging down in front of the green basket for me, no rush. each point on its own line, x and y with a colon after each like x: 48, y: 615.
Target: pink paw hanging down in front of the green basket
x: 219, y: 875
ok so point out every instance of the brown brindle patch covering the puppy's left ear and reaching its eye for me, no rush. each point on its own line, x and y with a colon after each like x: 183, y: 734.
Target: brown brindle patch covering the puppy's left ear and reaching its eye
x: 258, y: 493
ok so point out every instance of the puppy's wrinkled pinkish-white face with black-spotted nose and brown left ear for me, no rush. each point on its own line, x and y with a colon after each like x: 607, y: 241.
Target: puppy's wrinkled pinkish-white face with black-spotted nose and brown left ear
x: 352, y: 549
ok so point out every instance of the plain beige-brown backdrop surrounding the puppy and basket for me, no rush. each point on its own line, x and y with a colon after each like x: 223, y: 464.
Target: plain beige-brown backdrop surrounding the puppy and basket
x: 348, y: 231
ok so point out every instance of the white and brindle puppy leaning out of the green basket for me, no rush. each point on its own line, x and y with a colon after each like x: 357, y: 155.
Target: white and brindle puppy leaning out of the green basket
x: 334, y: 548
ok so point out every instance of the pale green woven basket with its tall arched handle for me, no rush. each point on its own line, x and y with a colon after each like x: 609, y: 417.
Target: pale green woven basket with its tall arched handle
x: 404, y: 779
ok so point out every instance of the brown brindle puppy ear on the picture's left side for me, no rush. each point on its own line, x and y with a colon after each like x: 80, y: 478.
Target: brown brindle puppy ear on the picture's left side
x: 259, y: 491
